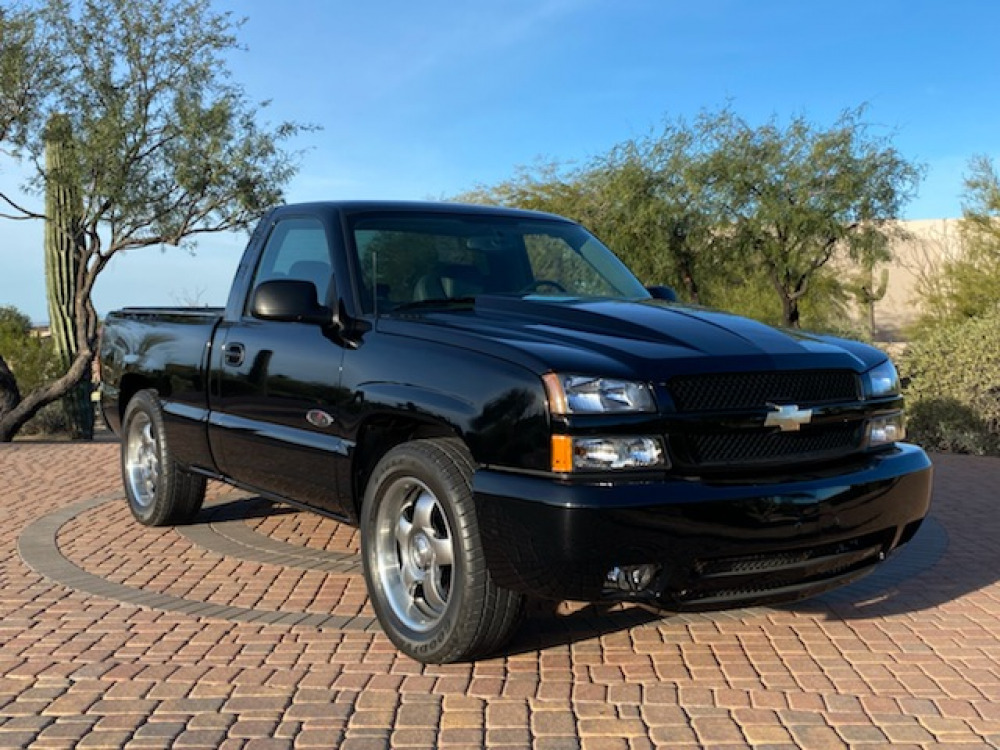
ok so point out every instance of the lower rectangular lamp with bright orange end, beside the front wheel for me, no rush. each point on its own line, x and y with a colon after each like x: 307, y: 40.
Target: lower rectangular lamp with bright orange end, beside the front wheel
x: 607, y: 452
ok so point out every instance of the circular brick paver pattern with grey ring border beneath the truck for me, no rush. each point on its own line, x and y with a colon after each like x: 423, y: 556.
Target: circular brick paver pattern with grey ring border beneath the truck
x: 291, y: 567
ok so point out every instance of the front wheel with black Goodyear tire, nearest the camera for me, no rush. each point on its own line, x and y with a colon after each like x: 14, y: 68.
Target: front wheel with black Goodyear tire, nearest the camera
x: 423, y: 558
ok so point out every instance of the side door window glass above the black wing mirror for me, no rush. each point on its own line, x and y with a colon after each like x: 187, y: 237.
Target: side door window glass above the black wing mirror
x: 296, y: 249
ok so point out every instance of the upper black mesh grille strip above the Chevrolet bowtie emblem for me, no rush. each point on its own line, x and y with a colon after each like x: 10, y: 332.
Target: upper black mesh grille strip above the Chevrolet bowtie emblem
x: 733, y: 391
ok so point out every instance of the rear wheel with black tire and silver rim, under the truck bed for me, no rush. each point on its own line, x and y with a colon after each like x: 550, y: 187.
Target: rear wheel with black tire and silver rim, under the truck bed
x: 159, y: 491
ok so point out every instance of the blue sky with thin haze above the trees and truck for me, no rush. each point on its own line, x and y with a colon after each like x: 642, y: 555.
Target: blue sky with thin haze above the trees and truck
x: 427, y: 99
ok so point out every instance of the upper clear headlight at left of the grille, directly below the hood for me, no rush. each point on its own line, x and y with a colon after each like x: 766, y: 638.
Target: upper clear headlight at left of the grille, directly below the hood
x: 585, y: 394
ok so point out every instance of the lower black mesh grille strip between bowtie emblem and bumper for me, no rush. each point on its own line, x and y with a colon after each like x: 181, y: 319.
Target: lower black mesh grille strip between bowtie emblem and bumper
x: 746, y: 448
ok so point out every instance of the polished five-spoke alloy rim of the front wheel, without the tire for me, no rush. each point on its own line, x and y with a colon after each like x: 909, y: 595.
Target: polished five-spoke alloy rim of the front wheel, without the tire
x: 414, y: 548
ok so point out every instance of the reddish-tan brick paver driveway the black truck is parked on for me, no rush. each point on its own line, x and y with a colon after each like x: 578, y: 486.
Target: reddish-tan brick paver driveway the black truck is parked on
x: 250, y: 628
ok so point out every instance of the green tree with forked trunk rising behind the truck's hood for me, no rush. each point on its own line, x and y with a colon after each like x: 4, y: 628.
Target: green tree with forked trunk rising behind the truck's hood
x: 797, y: 197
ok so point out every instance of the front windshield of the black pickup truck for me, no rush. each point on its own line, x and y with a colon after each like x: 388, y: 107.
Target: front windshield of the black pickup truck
x: 408, y: 260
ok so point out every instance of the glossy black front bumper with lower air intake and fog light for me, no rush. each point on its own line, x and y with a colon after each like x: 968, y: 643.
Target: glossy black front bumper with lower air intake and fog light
x: 707, y: 544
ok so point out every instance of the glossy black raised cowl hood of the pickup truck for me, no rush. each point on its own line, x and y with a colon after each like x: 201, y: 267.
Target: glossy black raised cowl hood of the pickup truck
x: 646, y: 340
